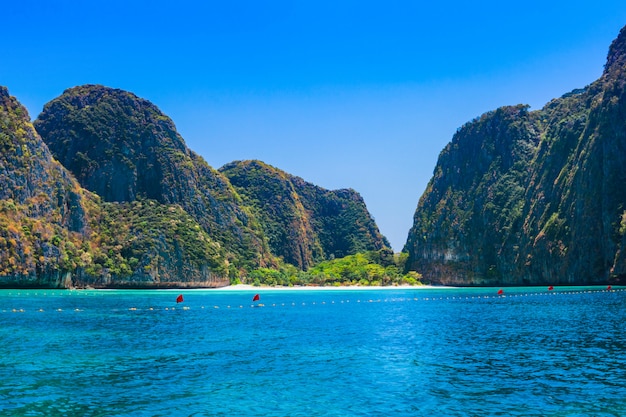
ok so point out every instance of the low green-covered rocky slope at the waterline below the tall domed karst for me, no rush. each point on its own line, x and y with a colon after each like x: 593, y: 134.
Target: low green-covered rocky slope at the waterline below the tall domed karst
x: 148, y: 244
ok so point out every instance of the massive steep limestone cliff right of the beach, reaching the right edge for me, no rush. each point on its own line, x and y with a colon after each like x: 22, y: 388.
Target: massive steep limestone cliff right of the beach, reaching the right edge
x: 520, y: 197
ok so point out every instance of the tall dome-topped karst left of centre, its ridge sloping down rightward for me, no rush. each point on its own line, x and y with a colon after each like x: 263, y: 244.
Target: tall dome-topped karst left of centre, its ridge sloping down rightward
x: 124, y: 149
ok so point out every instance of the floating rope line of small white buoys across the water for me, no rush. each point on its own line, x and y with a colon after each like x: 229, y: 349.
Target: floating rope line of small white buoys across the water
x: 428, y: 299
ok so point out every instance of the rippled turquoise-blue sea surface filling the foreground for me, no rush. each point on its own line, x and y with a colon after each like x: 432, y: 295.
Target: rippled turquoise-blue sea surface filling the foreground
x: 404, y: 352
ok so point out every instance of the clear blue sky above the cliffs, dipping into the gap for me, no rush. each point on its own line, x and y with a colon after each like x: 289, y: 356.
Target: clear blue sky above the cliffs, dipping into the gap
x: 345, y: 94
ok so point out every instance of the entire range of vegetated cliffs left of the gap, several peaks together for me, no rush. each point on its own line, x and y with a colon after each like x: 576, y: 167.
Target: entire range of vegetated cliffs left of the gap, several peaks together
x: 146, y: 211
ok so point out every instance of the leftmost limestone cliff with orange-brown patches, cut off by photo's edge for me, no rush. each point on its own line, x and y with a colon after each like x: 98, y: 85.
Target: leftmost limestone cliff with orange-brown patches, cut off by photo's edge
x: 42, y: 213
